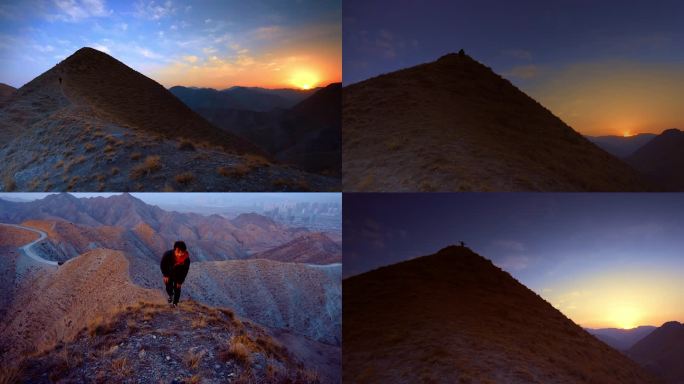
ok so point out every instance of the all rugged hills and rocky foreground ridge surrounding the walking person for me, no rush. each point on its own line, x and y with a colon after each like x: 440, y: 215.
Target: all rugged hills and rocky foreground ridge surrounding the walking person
x: 102, y: 312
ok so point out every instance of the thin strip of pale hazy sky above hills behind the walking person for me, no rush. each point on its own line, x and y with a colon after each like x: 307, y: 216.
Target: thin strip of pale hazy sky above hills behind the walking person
x: 199, y: 200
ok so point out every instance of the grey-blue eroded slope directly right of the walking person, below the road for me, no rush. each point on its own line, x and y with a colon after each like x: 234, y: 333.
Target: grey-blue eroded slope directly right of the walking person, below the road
x: 304, y: 299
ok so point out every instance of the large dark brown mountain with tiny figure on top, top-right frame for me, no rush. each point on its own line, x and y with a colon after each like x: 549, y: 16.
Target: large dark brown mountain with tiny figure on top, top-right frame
x: 453, y: 124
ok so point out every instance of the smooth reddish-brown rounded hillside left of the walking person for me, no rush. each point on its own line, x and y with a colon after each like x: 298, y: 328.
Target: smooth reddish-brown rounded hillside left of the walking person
x: 58, y: 303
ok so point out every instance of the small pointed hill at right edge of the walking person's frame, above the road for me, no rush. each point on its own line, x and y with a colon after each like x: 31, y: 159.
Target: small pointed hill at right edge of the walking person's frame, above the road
x: 313, y: 248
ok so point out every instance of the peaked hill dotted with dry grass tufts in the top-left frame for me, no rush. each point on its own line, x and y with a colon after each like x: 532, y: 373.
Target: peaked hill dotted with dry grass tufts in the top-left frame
x: 92, y: 123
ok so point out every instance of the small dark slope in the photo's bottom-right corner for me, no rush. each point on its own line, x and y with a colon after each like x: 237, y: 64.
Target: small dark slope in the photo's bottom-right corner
x: 662, y: 351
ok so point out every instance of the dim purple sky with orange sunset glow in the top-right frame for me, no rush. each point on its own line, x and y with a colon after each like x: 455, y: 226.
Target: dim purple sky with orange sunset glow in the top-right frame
x: 605, y: 68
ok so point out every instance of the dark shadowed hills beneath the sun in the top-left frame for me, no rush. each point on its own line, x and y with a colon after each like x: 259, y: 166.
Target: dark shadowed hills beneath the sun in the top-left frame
x: 306, y: 135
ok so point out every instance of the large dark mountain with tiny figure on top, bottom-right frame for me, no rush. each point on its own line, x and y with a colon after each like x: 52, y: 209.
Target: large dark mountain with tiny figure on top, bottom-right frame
x: 455, y: 317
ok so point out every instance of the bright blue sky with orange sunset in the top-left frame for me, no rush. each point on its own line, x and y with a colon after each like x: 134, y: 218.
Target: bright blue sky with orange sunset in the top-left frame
x: 212, y: 43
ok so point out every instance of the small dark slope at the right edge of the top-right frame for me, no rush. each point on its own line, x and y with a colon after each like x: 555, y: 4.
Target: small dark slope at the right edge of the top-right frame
x: 662, y: 160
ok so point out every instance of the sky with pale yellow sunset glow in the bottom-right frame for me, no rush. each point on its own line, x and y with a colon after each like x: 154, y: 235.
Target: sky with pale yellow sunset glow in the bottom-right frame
x: 604, y: 260
